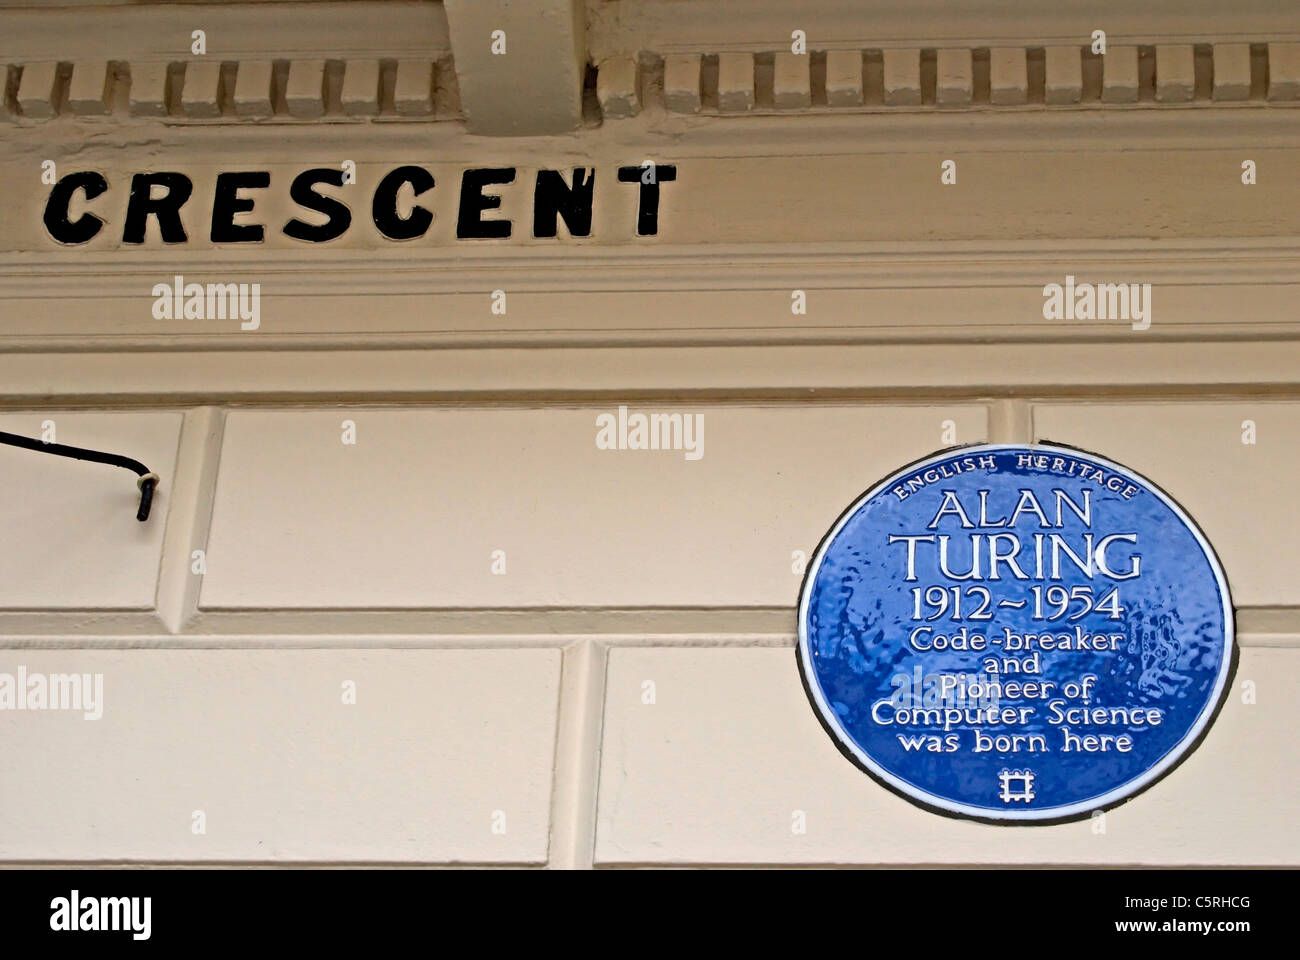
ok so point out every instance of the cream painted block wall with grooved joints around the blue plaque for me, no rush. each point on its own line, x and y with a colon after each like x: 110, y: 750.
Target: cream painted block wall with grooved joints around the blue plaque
x: 518, y: 695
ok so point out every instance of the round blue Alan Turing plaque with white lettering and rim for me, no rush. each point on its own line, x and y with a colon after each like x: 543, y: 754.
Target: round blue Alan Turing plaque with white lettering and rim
x: 1016, y: 634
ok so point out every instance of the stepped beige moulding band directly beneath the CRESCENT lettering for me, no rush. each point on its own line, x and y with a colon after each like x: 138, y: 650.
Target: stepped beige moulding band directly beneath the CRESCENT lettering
x: 1219, y: 291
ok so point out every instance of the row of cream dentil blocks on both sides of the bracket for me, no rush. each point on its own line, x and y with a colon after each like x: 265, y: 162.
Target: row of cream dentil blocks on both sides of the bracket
x: 727, y: 84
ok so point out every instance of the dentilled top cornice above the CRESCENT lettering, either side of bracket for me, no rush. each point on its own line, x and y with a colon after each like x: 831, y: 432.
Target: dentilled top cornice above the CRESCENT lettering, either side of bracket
x: 336, y: 62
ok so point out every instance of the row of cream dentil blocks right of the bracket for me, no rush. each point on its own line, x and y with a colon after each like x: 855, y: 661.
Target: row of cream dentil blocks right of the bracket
x: 895, y: 79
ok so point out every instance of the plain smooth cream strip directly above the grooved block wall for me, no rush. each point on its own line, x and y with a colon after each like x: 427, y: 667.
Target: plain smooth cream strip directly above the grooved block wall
x: 1260, y: 371
